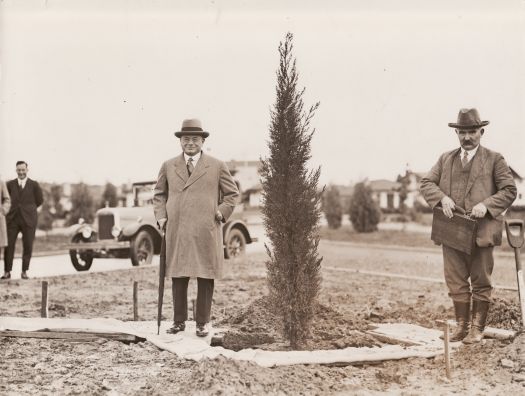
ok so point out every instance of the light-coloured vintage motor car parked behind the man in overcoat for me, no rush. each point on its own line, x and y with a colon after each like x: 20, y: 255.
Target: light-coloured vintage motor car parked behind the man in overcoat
x: 131, y: 232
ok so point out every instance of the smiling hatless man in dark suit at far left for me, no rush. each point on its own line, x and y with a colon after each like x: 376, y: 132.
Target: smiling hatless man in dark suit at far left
x: 26, y: 197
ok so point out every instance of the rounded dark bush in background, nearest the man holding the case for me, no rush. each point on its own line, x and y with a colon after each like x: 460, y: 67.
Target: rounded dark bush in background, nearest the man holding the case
x: 364, y: 211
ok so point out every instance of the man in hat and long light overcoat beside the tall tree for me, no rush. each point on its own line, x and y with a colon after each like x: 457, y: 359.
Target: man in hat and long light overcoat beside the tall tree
x: 195, y: 193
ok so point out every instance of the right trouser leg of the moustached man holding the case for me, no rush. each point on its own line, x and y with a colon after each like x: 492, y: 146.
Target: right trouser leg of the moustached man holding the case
x: 481, y: 273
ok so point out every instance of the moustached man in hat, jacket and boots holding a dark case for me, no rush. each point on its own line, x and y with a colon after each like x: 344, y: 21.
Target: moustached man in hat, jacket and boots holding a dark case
x: 478, y: 180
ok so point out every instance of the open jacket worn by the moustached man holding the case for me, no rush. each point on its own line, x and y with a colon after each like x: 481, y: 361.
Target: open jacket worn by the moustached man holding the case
x: 490, y: 181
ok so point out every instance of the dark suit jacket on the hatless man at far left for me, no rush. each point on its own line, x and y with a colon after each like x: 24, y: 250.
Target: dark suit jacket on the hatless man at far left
x: 24, y: 202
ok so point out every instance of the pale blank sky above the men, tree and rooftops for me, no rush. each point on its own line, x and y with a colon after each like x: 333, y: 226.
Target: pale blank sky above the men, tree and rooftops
x: 93, y: 90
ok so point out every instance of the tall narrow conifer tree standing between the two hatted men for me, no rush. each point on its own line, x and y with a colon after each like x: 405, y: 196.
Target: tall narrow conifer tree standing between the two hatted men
x: 291, y: 206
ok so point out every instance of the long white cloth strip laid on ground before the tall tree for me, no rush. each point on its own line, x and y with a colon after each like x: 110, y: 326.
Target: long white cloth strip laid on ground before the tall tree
x: 187, y: 345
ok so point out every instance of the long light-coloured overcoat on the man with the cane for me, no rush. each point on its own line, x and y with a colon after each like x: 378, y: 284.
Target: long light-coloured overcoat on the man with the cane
x: 194, y: 243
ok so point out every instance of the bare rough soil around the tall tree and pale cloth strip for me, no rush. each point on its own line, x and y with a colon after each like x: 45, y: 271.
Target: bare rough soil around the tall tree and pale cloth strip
x: 349, y: 302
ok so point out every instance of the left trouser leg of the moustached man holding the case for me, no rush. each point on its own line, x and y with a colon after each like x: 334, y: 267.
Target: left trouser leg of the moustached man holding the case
x: 457, y: 266
